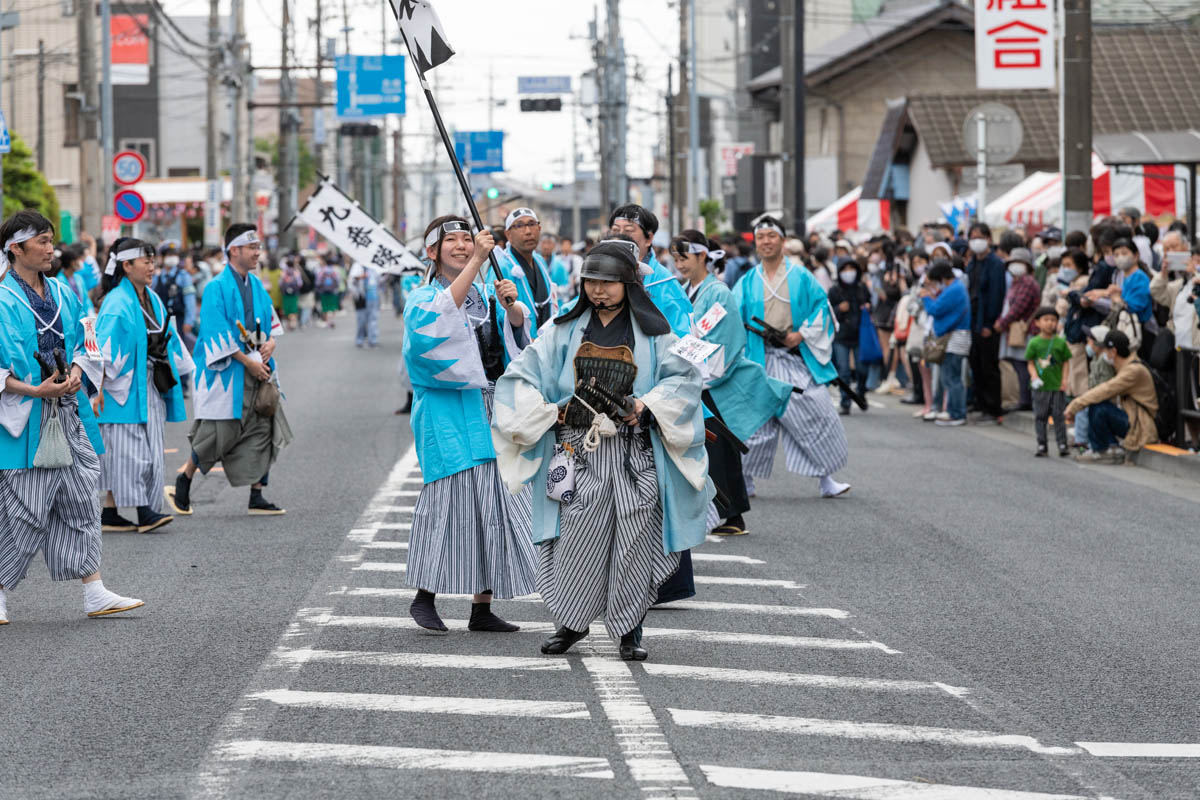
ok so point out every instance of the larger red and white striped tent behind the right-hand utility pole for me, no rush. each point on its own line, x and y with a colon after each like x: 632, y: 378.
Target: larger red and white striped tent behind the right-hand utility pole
x: 1037, y: 201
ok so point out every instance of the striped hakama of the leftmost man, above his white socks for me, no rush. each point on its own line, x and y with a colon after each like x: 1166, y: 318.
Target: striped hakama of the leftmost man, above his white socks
x: 53, y: 510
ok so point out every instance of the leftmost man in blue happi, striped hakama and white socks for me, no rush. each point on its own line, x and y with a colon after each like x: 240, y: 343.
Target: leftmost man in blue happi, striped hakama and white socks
x: 50, y: 468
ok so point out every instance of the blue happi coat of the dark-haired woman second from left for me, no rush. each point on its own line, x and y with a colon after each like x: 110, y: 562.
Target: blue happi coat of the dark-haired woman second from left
x: 122, y: 330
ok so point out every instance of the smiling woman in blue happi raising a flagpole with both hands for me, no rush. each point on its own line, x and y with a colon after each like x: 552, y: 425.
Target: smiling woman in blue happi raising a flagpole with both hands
x: 470, y: 537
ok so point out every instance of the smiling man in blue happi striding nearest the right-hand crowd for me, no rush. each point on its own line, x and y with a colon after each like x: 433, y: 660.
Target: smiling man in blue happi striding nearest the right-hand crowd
x: 788, y: 298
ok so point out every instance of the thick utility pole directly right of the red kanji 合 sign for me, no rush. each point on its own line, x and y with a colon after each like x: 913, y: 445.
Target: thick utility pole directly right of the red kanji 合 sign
x: 1076, y: 116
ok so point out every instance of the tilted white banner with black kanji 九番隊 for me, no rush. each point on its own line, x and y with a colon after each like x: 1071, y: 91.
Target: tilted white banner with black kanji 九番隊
x: 340, y: 220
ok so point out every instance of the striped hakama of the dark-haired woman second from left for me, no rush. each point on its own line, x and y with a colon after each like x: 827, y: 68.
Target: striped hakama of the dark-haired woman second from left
x: 131, y: 466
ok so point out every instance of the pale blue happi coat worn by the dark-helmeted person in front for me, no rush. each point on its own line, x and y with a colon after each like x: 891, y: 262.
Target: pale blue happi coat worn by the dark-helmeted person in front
x: 542, y: 381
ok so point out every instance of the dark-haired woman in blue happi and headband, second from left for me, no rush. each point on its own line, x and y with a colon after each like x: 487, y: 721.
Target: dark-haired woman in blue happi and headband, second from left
x: 141, y: 392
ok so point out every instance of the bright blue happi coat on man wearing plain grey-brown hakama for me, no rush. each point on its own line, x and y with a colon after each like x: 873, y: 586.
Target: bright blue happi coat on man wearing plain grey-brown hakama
x: 220, y: 377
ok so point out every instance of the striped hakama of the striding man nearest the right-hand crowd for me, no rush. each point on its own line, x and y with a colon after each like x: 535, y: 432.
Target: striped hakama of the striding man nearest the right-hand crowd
x: 814, y: 441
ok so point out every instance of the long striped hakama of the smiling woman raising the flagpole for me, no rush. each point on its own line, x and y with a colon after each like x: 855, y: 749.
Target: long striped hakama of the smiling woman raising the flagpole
x: 471, y: 536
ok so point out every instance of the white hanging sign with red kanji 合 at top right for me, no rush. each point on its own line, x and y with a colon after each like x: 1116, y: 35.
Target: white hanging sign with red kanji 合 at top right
x: 1016, y: 44
